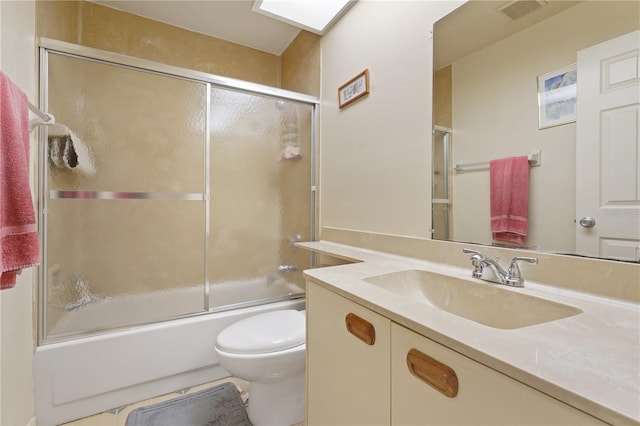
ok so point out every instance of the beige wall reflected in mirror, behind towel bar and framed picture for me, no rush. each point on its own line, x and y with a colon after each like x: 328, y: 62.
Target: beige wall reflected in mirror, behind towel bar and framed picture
x: 495, y: 115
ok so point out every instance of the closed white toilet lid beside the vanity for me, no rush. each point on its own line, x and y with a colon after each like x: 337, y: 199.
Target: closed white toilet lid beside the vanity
x: 263, y: 333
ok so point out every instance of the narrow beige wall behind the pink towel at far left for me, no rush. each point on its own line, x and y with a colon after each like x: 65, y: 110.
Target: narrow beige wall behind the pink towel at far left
x: 17, y: 60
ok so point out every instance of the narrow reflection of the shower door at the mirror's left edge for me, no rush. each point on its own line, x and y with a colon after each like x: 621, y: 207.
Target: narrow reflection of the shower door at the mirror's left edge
x: 440, y: 194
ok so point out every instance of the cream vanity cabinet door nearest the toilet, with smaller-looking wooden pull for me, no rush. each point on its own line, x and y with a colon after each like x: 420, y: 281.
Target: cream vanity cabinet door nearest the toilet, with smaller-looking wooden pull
x: 348, y: 379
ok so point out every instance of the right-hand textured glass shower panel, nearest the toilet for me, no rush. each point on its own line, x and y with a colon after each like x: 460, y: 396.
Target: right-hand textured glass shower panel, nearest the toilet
x: 260, y: 197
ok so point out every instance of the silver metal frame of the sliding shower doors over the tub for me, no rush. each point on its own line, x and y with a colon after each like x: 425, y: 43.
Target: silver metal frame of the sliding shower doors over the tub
x: 48, y: 46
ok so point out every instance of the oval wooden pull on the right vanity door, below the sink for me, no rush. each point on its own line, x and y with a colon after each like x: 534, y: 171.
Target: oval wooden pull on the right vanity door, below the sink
x: 434, y: 373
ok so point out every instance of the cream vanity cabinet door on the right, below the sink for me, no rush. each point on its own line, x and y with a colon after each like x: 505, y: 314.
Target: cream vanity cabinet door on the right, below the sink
x: 484, y: 396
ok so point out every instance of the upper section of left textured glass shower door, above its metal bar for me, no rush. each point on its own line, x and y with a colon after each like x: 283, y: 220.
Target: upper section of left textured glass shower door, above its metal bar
x: 134, y: 130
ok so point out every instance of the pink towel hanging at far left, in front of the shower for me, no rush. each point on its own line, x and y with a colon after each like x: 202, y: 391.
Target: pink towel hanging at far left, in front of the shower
x: 19, y: 246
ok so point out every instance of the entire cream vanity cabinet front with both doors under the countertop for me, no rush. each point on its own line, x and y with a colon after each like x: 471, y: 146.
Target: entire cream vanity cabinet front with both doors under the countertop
x: 351, y: 382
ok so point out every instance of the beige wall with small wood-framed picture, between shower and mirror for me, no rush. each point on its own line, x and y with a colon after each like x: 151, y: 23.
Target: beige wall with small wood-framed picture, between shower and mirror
x: 376, y: 153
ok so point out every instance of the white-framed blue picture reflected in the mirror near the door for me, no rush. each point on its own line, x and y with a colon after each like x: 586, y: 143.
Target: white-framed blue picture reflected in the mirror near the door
x: 557, y: 94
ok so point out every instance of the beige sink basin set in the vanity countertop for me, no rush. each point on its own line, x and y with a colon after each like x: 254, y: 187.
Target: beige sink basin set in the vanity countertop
x: 487, y: 304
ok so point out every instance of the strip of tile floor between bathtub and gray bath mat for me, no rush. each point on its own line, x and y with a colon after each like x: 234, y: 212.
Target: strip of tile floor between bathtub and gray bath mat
x: 118, y: 417
